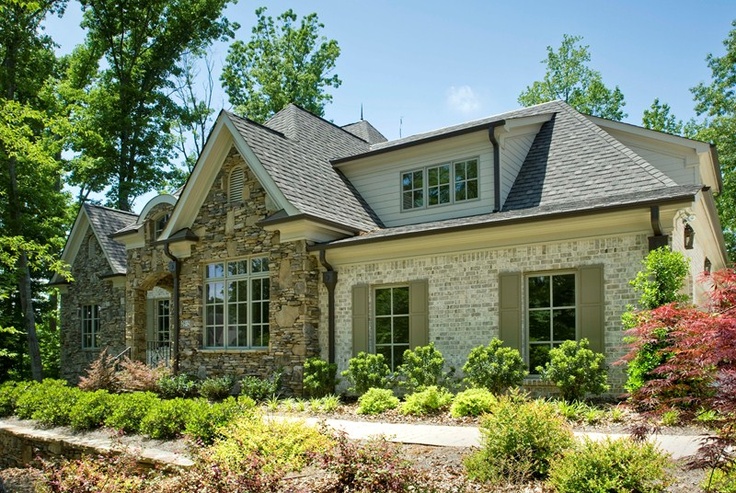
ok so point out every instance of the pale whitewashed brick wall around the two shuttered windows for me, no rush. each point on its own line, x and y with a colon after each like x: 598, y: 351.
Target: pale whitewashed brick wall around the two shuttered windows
x: 463, y: 290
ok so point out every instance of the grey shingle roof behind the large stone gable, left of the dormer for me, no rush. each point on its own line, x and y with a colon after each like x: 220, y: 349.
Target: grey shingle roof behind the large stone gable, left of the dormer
x: 296, y: 147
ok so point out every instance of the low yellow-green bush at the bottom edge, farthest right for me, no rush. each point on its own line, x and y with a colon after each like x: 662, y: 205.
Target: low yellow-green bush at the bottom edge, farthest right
x: 611, y: 465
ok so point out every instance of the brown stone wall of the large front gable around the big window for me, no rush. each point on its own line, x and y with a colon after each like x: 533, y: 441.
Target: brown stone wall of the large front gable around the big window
x: 229, y: 231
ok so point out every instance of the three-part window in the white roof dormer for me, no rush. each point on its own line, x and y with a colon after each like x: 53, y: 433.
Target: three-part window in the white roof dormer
x: 441, y: 184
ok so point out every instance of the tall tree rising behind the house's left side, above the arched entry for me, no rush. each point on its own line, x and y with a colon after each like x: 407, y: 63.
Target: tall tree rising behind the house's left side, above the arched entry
x: 128, y: 102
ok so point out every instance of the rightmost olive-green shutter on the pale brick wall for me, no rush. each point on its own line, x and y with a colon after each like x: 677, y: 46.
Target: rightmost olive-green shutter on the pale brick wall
x: 592, y: 322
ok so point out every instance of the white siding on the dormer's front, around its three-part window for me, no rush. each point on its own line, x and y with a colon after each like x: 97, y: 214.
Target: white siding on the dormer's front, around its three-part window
x: 378, y: 179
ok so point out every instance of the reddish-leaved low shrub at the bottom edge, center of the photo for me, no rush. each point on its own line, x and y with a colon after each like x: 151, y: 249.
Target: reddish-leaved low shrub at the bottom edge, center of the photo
x: 377, y: 465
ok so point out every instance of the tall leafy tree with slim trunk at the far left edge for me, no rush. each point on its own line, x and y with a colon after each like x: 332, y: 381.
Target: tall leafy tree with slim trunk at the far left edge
x: 32, y: 213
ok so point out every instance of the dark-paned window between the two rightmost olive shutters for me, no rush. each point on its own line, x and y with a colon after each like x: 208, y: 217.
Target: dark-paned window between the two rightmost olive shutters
x: 551, y: 315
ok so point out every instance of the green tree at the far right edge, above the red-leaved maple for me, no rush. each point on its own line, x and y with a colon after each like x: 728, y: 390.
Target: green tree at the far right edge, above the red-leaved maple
x: 717, y: 101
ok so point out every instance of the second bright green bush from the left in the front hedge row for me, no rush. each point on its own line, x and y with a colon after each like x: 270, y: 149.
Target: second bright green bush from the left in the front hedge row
x: 49, y: 402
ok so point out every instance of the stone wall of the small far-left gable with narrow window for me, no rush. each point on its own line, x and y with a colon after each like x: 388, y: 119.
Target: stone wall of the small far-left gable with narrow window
x: 90, y: 288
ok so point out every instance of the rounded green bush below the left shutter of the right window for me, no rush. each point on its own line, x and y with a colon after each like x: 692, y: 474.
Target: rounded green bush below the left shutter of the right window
x: 494, y: 367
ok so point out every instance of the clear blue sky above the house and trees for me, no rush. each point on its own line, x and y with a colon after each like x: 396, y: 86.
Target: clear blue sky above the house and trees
x: 415, y: 66
